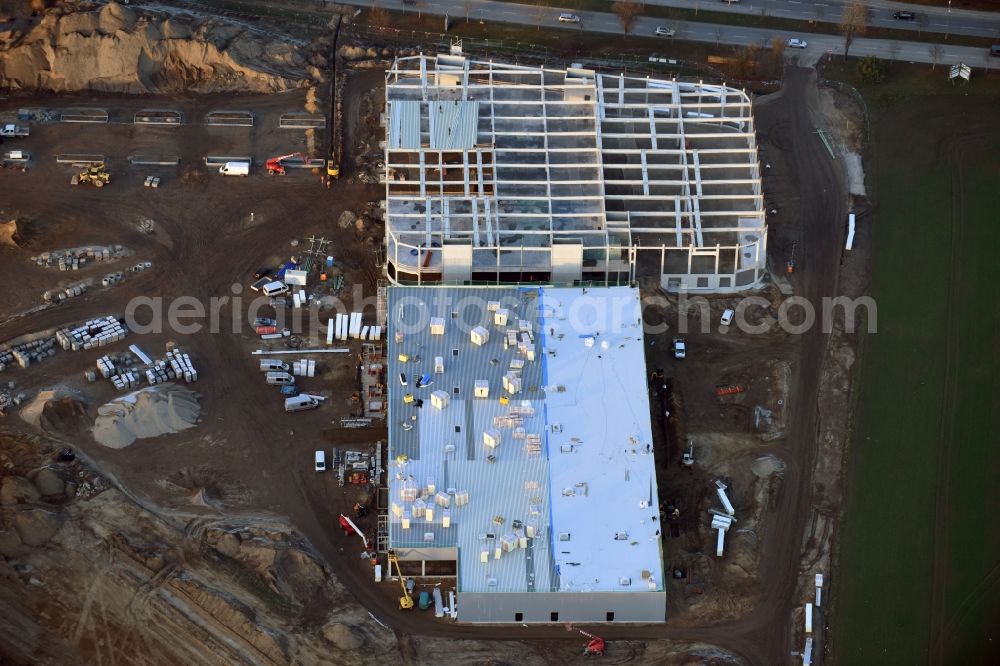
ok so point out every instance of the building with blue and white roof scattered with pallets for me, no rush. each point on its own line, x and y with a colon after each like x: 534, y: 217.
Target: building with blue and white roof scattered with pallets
x: 520, y: 451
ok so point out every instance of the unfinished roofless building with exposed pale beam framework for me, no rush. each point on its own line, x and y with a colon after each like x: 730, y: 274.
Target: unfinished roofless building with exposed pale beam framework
x: 499, y: 173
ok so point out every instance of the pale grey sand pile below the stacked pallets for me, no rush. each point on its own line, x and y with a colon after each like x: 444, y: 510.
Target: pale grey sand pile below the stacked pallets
x: 150, y: 412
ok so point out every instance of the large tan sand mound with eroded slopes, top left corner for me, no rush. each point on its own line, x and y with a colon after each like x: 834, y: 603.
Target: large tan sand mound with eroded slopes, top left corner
x: 119, y: 49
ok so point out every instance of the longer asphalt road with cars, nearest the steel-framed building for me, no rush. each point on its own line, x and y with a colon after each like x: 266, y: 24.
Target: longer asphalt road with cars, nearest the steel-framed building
x: 818, y: 44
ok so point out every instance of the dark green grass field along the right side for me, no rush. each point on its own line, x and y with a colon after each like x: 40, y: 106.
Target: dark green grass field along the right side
x: 917, y: 578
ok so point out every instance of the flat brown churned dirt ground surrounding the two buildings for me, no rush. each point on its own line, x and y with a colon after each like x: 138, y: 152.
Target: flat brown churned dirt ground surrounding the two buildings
x: 212, y: 232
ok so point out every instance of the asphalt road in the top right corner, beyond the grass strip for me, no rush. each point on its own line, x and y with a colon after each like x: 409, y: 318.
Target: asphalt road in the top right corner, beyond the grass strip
x: 929, y: 19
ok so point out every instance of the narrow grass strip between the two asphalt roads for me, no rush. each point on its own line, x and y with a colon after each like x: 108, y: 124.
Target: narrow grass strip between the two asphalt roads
x: 781, y: 27
